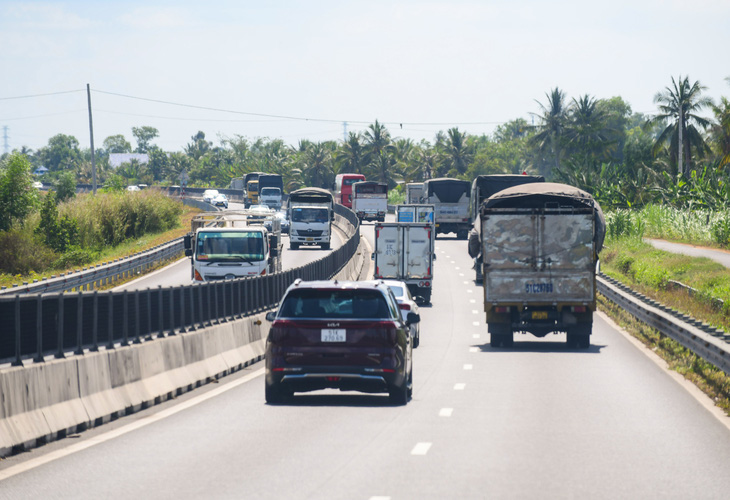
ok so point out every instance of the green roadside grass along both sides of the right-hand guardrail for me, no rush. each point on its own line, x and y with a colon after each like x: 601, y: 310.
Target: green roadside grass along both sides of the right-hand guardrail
x: 649, y: 271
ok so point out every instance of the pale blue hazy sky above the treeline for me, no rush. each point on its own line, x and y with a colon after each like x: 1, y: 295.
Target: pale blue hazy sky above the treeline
x: 296, y: 70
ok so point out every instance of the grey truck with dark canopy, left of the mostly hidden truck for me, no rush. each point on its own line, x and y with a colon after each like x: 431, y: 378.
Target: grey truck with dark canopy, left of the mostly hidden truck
x: 450, y: 198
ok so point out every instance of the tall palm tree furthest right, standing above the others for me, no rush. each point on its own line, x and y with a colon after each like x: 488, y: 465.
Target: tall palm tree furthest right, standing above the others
x: 678, y: 107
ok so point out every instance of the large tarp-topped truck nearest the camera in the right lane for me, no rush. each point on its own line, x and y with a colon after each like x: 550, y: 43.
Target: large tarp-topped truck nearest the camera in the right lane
x: 540, y: 245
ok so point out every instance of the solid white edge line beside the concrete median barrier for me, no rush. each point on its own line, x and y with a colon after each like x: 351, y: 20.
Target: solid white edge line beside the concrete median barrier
x: 108, y: 436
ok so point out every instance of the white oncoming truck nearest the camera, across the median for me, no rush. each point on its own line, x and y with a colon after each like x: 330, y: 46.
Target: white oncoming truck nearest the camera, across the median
x: 235, y: 244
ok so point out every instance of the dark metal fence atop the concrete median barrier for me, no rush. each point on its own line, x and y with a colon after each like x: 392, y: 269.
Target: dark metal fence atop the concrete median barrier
x: 36, y: 325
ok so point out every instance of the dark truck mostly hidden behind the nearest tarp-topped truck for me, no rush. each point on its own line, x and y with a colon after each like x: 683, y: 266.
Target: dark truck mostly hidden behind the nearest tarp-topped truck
x: 482, y: 188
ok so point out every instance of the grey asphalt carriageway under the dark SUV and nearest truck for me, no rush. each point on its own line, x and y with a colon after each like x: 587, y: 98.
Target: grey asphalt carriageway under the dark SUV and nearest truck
x: 534, y: 421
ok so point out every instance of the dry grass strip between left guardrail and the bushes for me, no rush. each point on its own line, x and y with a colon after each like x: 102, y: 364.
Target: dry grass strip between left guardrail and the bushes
x: 109, y: 254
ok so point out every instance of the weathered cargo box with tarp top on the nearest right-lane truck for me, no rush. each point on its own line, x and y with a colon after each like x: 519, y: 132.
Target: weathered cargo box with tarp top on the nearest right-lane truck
x: 539, y: 244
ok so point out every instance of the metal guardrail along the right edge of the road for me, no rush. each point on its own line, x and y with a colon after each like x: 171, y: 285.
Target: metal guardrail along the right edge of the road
x: 707, y: 342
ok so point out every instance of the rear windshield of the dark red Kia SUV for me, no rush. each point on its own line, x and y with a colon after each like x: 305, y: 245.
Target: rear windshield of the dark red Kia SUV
x: 335, y: 304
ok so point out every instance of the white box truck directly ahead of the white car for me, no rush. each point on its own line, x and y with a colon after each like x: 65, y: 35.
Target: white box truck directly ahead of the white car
x: 404, y: 252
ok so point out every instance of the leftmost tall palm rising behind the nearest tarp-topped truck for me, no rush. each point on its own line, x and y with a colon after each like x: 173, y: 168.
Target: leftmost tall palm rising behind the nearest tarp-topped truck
x: 549, y: 135
